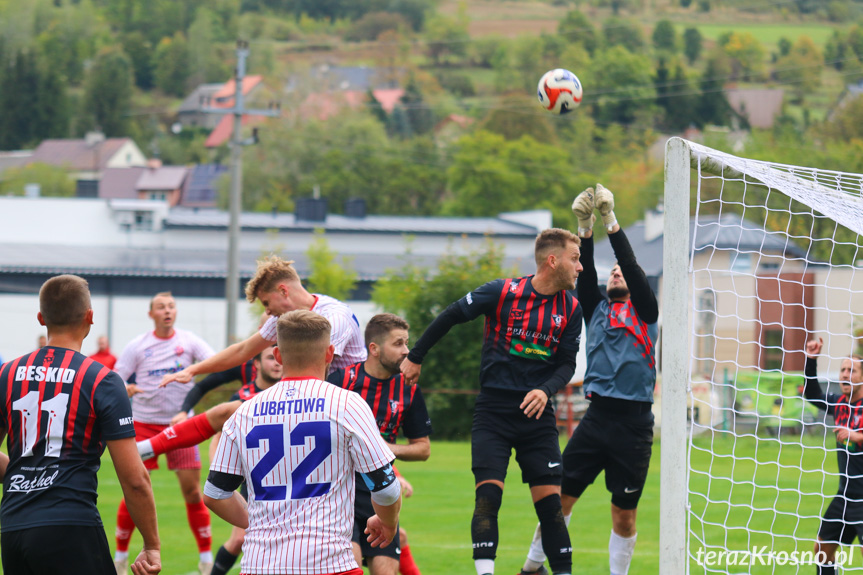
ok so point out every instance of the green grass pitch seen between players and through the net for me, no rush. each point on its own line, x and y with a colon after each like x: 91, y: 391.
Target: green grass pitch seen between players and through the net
x: 437, y: 517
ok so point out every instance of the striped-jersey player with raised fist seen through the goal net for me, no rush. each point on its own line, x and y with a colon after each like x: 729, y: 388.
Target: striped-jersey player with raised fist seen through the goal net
x: 843, y: 519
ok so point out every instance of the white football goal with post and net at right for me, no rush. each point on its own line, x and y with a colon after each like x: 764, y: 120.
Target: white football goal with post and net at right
x: 758, y: 259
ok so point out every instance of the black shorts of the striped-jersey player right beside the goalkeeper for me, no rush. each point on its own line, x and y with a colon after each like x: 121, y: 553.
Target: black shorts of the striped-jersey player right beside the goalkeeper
x: 499, y: 426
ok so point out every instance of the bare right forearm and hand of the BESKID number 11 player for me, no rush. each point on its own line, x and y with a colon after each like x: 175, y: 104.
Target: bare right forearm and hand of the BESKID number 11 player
x: 138, y: 493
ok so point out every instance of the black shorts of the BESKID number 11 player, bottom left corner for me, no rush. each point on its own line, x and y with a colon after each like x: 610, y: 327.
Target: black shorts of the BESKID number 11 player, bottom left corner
x: 67, y: 549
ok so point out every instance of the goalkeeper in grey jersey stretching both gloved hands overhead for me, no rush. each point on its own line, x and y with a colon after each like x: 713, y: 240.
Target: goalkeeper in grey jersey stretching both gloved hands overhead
x: 616, y: 433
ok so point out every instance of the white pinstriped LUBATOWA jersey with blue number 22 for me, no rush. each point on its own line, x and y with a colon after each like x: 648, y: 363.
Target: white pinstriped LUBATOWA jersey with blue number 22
x: 298, y: 445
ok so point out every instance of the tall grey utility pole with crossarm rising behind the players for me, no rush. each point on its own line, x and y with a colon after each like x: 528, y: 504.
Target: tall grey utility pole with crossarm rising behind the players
x: 239, y: 110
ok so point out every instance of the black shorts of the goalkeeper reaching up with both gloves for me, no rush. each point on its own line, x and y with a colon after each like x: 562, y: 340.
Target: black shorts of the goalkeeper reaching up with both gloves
x: 619, y: 444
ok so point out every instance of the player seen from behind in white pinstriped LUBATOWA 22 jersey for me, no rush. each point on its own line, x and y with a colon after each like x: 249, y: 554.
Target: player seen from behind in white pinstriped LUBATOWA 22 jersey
x: 298, y: 445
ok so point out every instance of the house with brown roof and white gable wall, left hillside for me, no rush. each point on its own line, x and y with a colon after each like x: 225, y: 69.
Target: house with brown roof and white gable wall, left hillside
x: 89, y: 157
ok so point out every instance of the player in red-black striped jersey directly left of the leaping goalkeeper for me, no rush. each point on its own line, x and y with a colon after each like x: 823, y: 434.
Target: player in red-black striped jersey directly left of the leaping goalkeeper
x: 532, y: 333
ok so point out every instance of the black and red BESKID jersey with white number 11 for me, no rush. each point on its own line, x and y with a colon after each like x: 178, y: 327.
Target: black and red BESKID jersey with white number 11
x: 58, y: 408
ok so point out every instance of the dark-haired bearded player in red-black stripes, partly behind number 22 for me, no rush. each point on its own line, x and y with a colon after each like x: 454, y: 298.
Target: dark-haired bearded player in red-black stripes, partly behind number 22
x: 395, y: 405
